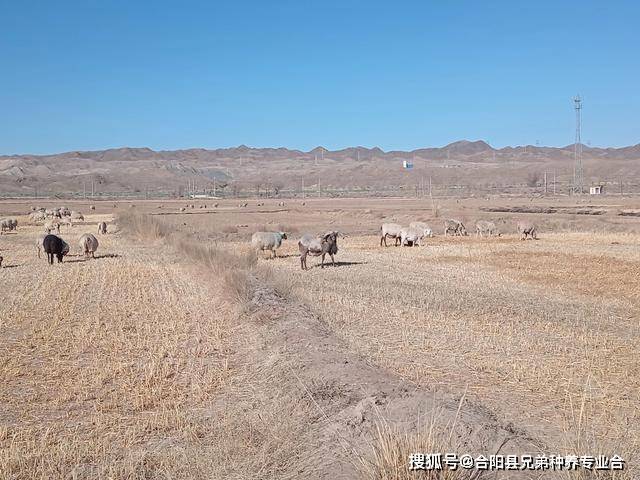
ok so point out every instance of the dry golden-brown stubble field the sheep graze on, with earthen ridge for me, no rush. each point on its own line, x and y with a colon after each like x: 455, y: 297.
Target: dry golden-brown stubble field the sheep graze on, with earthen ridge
x: 177, y: 354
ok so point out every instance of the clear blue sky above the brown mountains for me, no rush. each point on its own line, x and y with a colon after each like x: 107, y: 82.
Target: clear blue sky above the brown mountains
x: 399, y: 75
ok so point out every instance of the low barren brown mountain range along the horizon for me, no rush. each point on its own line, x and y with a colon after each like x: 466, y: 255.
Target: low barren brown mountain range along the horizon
x: 243, y: 168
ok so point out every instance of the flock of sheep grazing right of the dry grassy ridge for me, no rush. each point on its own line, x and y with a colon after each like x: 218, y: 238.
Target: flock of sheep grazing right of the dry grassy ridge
x: 413, y: 235
